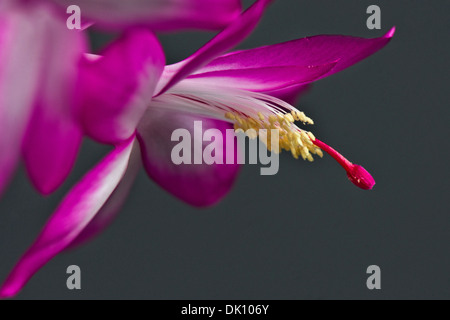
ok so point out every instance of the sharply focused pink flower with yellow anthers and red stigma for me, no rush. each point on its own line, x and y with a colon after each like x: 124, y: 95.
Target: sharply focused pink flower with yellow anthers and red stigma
x: 130, y: 99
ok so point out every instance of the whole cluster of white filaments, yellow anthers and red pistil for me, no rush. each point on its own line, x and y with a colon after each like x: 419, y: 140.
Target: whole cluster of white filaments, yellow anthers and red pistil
x: 250, y: 110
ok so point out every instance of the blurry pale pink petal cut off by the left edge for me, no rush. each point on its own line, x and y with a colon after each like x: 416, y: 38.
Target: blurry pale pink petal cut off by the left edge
x: 21, y: 32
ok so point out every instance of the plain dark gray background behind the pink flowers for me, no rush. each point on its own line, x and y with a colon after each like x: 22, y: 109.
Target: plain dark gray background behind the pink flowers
x: 307, y: 232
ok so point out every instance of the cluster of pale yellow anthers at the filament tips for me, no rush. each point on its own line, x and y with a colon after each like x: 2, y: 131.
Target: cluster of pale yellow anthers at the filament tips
x: 298, y: 142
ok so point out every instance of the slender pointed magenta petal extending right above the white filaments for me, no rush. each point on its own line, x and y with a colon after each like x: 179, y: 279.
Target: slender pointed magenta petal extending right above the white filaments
x: 263, y: 79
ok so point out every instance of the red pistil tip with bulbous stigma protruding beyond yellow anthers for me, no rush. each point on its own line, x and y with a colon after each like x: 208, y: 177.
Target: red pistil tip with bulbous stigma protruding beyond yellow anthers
x: 356, y: 173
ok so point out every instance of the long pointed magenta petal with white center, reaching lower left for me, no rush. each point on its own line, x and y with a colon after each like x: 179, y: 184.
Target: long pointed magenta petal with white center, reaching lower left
x: 76, y: 211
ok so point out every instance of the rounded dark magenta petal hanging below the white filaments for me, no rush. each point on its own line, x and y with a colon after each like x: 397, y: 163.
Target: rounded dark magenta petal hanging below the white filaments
x: 197, y: 184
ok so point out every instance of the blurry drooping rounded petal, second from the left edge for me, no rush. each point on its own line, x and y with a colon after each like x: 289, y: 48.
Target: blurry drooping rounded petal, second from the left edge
x: 53, y: 136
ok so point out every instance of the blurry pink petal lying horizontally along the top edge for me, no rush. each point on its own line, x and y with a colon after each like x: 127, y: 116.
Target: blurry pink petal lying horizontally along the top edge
x: 157, y: 14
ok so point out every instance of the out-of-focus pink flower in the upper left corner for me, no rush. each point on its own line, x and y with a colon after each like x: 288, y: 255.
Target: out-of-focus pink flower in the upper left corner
x: 39, y: 72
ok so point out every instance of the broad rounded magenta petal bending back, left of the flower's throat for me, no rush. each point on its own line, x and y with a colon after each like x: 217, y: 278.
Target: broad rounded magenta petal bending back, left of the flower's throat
x: 117, y: 88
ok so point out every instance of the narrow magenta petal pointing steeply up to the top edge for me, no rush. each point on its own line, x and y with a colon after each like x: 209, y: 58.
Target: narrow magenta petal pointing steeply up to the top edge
x: 225, y: 40
